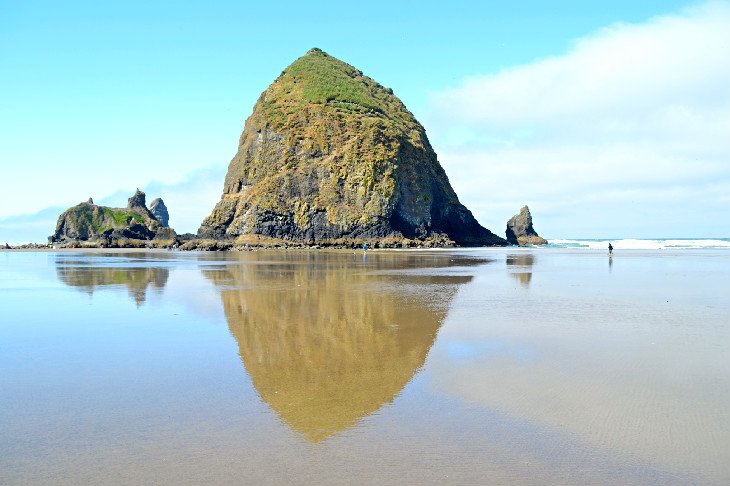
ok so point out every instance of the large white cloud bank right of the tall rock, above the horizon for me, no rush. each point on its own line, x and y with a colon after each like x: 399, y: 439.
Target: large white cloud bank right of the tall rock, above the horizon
x: 608, y: 139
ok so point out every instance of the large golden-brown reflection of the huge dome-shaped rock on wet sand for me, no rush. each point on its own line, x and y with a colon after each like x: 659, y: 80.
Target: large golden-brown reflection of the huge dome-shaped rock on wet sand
x: 327, y: 343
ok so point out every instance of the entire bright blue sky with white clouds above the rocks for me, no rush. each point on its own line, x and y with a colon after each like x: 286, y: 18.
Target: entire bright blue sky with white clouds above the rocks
x: 609, y: 119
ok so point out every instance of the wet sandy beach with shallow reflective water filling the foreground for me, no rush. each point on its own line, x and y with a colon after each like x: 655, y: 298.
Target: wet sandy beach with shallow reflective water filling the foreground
x: 494, y: 366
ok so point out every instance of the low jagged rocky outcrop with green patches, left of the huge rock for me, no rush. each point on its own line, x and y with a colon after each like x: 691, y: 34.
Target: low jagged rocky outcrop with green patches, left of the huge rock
x: 87, y: 221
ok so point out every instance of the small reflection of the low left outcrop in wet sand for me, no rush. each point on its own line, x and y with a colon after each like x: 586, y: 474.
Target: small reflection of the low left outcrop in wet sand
x: 136, y: 279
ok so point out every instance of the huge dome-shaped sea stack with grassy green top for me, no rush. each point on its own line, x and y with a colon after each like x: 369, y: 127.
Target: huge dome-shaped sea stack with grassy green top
x: 328, y: 154
